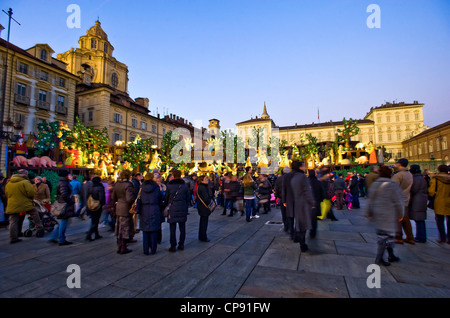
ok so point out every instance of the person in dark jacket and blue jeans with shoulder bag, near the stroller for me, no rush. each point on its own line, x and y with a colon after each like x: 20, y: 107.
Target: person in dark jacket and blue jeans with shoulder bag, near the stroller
x: 63, y: 195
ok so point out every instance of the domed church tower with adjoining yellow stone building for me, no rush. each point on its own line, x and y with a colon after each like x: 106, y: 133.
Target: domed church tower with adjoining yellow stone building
x: 102, y: 98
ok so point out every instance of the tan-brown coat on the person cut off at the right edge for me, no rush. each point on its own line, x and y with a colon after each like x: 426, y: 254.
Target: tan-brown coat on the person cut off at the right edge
x: 442, y: 199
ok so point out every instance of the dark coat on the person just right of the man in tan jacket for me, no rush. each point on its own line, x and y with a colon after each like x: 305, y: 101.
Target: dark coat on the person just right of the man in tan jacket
x: 417, y: 209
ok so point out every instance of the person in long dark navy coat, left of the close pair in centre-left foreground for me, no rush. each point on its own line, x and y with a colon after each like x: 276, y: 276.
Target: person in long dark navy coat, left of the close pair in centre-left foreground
x: 150, y: 213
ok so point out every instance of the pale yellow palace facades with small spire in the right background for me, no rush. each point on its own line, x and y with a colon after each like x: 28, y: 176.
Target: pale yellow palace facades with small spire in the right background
x: 387, y: 125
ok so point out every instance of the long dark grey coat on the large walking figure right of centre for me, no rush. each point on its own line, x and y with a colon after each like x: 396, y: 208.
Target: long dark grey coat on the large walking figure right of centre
x: 300, y: 201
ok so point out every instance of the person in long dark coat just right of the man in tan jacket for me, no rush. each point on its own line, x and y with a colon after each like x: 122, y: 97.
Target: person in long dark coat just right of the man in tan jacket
x: 417, y: 208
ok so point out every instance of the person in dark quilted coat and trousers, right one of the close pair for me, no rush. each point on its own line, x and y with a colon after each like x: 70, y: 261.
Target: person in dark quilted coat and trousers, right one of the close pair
x: 178, y: 196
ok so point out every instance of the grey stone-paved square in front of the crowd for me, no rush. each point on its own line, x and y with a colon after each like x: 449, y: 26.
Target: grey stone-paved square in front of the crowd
x: 243, y: 259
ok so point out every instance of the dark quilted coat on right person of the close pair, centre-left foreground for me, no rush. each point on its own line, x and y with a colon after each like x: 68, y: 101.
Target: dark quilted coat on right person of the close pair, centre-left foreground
x: 180, y: 204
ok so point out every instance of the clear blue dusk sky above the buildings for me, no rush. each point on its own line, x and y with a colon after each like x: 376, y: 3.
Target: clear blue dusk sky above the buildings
x: 203, y: 59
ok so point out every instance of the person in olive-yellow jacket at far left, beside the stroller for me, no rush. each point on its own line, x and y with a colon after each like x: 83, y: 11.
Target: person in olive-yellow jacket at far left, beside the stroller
x: 20, y: 194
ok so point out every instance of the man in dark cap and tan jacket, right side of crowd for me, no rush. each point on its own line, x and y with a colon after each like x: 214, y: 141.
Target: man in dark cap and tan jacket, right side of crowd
x: 404, y: 179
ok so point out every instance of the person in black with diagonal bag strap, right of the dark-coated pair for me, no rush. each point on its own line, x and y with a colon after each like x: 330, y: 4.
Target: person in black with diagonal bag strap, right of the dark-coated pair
x: 203, y: 200
